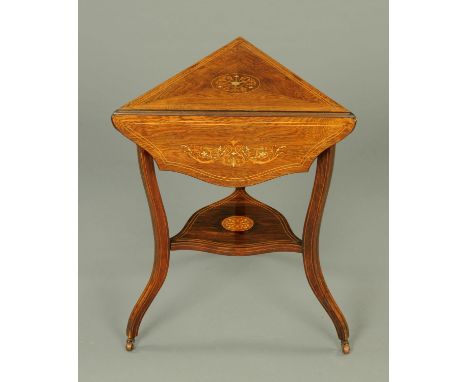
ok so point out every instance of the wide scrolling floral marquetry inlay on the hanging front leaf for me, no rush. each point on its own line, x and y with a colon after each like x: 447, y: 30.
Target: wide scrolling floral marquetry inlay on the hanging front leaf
x: 233, y: 154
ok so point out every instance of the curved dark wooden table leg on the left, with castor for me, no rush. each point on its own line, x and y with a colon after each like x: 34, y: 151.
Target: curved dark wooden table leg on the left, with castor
x: 161, y: 249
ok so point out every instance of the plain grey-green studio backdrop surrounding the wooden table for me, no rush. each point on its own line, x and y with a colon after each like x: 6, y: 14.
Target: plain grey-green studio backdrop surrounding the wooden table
x: 223, y: 318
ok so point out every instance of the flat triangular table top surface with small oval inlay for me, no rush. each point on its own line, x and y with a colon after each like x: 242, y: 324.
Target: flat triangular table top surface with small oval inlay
x: 237, y: 77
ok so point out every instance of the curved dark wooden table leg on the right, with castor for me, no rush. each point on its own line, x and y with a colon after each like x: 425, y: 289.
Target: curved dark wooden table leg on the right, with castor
x: 311, y: 245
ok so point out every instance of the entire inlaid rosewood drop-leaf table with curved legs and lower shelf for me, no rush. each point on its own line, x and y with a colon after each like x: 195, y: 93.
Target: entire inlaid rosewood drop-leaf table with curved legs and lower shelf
x: 236, y: 118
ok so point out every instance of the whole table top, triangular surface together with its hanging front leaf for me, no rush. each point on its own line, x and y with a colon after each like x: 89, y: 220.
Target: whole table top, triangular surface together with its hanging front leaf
x: 236, y: 118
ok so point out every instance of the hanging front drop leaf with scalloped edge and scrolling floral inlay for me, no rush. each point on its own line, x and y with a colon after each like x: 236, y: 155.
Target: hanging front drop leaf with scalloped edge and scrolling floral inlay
x: 291, y: 144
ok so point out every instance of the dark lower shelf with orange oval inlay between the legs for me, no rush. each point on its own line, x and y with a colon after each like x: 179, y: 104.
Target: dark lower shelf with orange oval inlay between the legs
x: 237, y: 225
